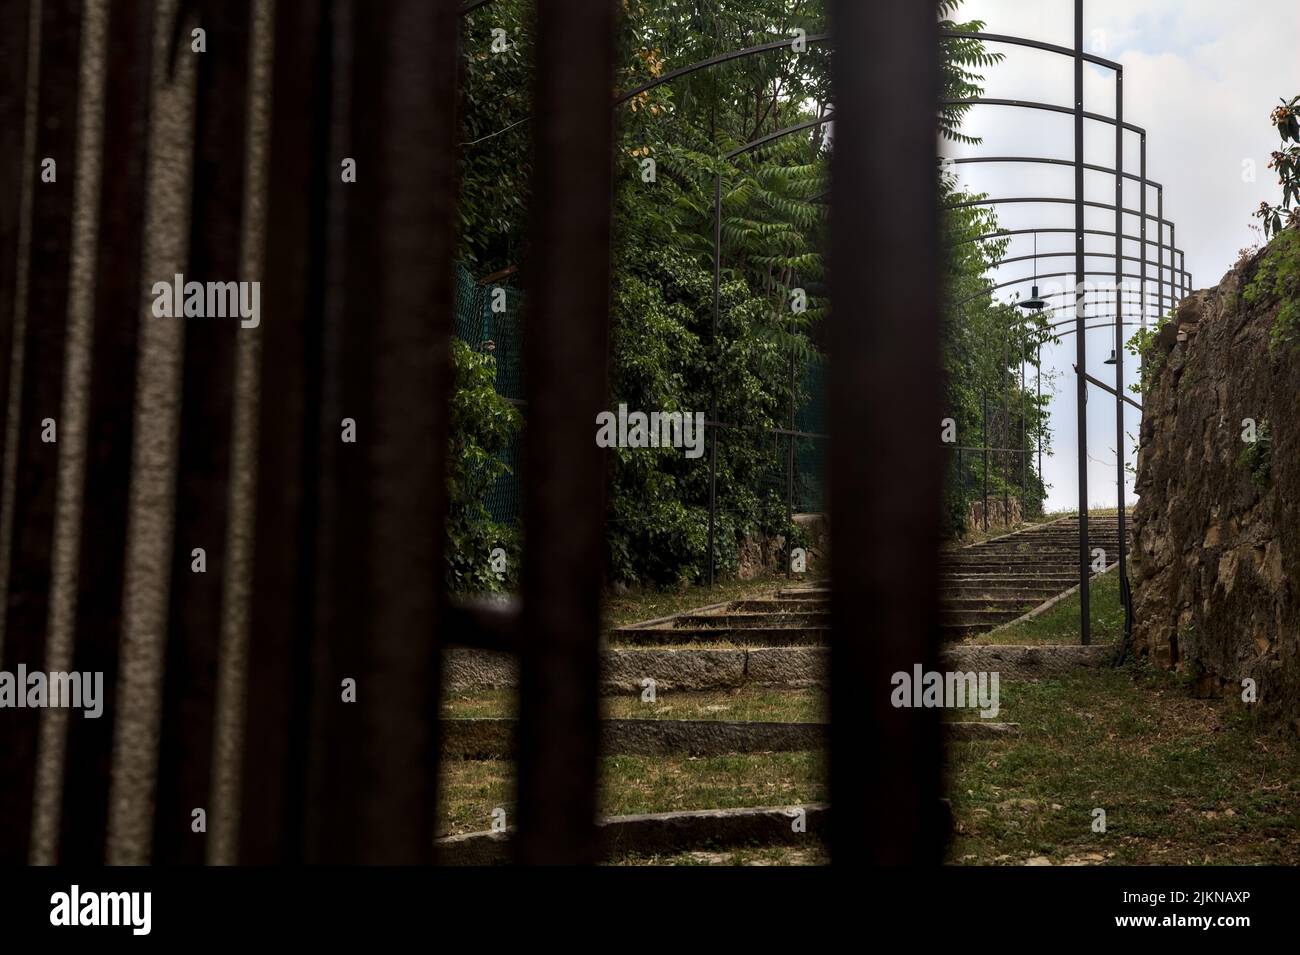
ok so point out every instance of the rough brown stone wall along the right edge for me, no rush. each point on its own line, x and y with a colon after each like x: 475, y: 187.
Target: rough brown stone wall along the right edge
x: 1216, y: 562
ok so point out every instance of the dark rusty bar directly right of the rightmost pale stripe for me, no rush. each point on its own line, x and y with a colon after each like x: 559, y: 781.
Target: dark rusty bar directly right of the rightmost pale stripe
x: 274, y: 775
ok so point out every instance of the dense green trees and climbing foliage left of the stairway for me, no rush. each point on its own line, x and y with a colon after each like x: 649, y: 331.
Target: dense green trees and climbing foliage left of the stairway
x: 666, y: 354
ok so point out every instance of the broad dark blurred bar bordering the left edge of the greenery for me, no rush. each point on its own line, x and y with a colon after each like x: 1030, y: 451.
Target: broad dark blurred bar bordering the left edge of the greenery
x: 387, y: 367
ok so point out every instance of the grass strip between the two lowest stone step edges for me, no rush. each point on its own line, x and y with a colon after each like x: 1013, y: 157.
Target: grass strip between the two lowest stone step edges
x: 473, y: 789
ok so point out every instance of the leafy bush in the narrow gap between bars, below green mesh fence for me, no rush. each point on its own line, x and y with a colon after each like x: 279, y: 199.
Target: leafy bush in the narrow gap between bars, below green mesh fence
x: 483, y: 423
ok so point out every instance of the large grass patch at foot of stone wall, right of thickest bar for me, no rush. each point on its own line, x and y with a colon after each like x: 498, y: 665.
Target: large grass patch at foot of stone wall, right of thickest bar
x: 1182, y: 782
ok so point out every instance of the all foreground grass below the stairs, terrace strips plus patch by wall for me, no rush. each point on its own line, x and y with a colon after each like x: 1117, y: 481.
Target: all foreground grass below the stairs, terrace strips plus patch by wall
x: 1182, y: 780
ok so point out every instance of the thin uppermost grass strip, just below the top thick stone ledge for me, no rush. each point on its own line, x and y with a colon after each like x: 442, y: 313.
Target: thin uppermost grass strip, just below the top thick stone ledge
x: 749, y: 705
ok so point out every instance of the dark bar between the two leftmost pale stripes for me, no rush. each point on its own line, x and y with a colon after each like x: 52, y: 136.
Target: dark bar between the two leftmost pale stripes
x: 40, y: 402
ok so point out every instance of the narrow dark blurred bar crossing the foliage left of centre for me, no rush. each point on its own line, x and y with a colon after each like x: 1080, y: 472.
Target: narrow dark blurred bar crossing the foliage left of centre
x: 566, y: 362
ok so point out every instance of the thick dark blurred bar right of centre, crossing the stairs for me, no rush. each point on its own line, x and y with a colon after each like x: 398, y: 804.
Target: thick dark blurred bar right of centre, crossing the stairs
x: 885, y: 761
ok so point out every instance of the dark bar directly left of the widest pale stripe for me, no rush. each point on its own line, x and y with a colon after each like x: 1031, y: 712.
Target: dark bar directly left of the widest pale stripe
x: 110, y: 431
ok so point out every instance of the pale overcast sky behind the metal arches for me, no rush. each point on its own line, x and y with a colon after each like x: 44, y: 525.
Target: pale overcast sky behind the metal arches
x: 1202, y: 79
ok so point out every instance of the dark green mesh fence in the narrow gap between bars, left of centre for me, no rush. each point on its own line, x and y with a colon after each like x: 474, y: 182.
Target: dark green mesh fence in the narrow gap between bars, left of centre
x: 488, y: 320
